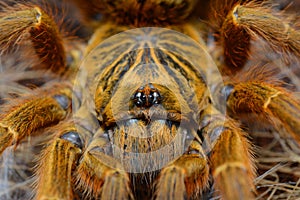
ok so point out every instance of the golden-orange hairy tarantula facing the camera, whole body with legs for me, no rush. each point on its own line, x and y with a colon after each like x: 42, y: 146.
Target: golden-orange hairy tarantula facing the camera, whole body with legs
x: 151, y: 106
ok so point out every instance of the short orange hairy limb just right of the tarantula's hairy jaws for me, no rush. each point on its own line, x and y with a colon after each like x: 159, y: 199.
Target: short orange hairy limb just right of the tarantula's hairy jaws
x: 185, y: 177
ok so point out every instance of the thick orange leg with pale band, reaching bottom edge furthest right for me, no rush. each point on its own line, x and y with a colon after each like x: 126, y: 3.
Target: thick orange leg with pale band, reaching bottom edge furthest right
x: 231, y: 165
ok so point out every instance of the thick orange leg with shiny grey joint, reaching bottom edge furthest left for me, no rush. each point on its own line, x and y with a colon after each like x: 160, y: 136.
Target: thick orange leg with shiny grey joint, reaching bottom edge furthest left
x: 57, y: 164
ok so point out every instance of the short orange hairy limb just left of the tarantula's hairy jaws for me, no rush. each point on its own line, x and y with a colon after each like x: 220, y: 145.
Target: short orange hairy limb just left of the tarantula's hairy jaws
x: 100, y: 175
